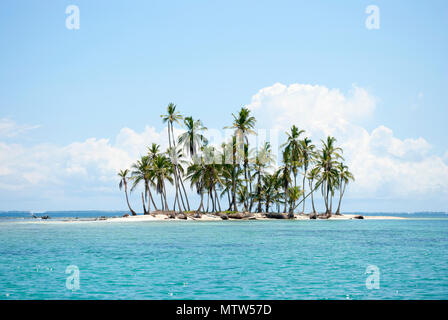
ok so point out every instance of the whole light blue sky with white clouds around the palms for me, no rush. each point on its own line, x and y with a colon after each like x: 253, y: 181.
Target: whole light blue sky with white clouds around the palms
x: 78, y: 104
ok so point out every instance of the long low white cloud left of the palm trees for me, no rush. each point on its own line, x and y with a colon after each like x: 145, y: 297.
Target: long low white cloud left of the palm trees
x: 93, y: 160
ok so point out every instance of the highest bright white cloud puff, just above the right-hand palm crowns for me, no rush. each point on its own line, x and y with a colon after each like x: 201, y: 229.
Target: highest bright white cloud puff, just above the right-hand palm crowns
x: 315, y: 108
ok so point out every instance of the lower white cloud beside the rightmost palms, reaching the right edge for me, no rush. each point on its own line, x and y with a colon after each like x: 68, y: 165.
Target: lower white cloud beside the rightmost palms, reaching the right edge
x: 402, y: 172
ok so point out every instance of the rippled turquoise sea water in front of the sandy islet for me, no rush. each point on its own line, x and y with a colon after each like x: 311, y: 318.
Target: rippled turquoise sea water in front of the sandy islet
x: 225, y: 260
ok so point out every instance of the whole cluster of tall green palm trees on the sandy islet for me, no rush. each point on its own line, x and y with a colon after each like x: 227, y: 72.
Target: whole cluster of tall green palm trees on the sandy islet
x: 234, y: 176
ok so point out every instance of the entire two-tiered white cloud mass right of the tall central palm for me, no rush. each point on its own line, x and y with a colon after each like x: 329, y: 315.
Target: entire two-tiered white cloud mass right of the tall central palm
x: 383, y: 165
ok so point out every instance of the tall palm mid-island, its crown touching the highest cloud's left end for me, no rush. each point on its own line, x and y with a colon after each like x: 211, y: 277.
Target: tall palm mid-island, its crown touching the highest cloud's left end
x: 243, y: 123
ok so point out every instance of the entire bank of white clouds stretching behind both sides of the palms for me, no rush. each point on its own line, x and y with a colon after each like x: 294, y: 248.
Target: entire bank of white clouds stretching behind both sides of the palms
x: 385, y: 166
